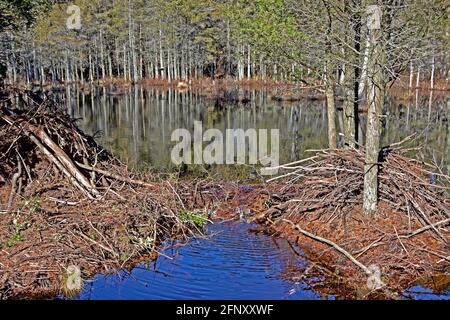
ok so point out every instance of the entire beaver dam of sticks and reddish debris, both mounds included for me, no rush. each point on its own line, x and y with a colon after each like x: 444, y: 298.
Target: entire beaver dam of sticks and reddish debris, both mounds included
x: 66, y: 202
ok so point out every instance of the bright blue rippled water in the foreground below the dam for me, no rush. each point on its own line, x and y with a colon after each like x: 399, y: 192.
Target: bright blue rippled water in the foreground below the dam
x: 231, y: 263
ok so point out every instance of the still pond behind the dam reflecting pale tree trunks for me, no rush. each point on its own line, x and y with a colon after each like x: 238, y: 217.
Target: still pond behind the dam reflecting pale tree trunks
x: 137, y: 124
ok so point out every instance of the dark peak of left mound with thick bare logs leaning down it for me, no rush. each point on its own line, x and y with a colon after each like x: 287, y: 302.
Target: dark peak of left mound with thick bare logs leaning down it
x: 43, y: 132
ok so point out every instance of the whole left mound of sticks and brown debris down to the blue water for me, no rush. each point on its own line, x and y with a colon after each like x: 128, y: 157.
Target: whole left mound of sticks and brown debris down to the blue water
x: 65, y: 201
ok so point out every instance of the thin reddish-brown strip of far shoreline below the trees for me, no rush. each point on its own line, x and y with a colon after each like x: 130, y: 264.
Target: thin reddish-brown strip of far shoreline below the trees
x: 223, y: 89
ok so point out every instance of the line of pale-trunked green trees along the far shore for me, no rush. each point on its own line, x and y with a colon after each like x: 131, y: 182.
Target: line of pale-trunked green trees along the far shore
x: 280, y: 40
